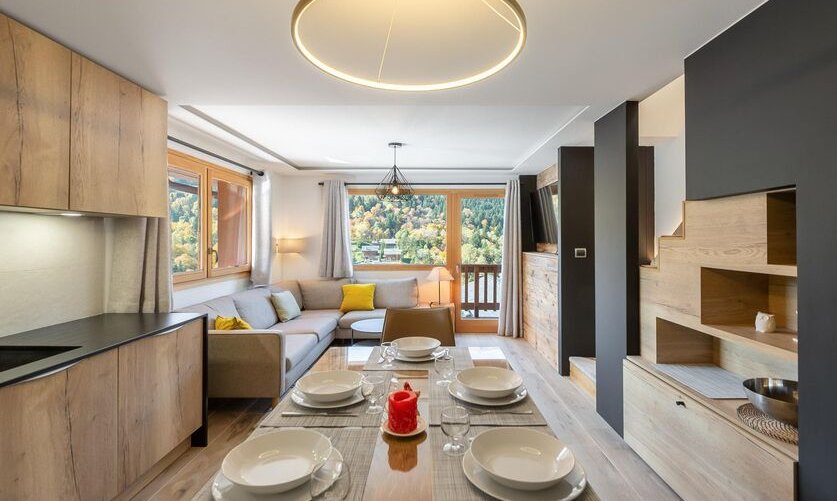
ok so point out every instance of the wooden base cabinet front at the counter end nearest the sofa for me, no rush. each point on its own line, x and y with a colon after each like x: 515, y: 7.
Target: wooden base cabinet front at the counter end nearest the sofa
x: 160, y: 397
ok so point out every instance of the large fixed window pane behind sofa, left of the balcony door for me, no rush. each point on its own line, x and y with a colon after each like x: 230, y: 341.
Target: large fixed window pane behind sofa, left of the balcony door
x: 408, y: 231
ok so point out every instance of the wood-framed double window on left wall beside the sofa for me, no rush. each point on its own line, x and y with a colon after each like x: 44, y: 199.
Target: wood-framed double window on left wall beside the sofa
x: 210, y: 219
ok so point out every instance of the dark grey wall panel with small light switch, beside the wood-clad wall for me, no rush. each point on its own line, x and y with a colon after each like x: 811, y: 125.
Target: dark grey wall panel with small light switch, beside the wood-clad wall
x: 576, y: 296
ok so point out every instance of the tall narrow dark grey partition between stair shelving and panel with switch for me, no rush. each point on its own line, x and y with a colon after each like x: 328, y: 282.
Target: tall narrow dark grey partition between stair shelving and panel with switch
x: 617, y: 254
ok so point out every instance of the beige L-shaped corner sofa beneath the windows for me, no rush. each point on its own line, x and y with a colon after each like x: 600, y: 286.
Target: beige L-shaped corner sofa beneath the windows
x: 266, y: 361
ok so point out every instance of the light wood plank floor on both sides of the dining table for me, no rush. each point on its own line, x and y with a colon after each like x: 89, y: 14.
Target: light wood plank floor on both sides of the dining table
x: 612, y: 467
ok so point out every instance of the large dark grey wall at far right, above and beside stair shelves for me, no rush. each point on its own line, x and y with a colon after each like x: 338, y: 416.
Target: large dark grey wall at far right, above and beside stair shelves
x: 761, y: 112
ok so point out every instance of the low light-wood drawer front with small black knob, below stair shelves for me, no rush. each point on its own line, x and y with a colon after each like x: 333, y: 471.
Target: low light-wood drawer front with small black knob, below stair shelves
x: 696, y: 451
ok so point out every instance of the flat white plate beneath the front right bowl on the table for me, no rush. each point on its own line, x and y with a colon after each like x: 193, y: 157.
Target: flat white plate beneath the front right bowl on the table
x: 570, y: 487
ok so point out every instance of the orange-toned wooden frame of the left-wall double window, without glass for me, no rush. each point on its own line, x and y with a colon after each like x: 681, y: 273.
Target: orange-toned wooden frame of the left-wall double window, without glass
x: 207, y: 172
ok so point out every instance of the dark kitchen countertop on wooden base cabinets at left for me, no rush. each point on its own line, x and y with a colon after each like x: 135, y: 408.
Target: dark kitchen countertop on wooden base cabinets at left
x: 92, y: 335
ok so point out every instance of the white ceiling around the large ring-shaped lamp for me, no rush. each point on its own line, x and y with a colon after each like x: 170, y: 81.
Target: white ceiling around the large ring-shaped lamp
x: 235, y: 61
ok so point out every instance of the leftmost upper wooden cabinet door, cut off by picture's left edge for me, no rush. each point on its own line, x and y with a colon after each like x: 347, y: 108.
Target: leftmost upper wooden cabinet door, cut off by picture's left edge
x: 34, y: 118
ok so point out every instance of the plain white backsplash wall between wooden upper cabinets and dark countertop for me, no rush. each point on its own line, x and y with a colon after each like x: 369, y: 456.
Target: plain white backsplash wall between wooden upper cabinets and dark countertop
x: 51, y: 269
